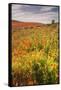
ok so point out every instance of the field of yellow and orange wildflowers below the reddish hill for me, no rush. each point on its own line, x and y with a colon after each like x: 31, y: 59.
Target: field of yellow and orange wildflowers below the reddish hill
x: 35, y: 55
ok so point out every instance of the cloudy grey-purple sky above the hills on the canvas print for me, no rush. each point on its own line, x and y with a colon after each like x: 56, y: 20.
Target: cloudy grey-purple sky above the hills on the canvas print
x: 34, y: 13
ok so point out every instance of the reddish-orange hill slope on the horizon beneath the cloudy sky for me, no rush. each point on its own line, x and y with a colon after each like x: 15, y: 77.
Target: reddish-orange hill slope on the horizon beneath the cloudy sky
x: 17, y: 24
